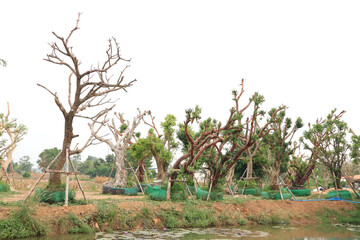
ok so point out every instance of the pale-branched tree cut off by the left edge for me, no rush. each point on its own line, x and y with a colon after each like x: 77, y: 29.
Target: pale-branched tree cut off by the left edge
x: 11, y: 133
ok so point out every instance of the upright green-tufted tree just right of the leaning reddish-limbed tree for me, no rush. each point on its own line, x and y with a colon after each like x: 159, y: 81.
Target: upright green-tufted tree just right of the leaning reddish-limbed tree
x: 278, y: 146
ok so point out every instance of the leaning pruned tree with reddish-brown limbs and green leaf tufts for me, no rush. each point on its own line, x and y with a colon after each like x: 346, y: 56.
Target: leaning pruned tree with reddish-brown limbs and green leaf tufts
x: 223, y: 140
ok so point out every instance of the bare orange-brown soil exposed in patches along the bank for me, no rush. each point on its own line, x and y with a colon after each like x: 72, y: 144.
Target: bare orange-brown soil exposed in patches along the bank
x: 296, y: 212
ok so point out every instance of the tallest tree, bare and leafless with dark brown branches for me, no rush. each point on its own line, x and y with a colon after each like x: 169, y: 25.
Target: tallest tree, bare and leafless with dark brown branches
x: 88, y: 89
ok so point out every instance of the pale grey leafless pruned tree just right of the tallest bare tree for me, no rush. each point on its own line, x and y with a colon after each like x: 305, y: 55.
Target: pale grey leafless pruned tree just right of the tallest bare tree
x: 122, y: 140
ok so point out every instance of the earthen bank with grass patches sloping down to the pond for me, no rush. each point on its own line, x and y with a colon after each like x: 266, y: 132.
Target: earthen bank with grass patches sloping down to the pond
x: 110, y: 214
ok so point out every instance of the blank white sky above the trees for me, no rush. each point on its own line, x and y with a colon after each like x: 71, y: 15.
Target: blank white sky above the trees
x: 304, y: 54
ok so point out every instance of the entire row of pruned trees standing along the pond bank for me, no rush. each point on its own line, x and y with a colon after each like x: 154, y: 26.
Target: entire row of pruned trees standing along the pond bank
x: 249, y: 134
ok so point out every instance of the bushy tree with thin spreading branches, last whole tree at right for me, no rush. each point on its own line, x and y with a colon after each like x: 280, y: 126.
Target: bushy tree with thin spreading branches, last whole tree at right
x: 332, y: 150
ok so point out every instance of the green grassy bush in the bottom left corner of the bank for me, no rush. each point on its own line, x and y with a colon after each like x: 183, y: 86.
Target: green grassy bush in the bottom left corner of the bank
x: 22, y: 224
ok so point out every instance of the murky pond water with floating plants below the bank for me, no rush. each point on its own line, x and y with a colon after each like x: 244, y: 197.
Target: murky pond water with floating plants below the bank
x: 313, y: 232
